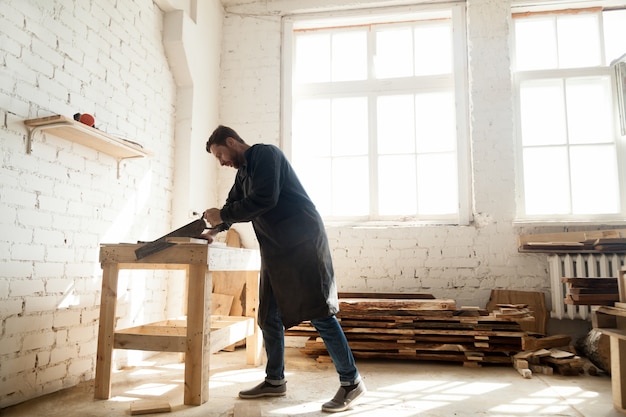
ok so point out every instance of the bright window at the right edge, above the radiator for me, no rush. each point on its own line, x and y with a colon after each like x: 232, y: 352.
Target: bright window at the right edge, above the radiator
x: 569, y: 142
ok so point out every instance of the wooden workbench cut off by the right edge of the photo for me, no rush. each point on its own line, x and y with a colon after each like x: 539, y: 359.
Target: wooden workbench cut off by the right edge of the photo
x: 612, y: 322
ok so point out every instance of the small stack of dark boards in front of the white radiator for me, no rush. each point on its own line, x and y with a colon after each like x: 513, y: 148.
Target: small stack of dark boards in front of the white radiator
x: 591, y: 291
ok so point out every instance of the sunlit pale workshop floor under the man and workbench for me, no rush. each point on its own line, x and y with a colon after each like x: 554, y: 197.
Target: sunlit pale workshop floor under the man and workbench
x: 395, y: 388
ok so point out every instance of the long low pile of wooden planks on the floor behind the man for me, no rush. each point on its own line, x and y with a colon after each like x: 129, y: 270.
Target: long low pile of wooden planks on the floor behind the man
x: 420, y: 327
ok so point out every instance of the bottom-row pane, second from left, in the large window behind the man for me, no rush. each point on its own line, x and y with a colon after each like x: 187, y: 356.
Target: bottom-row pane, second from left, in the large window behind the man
x: 350, y: 188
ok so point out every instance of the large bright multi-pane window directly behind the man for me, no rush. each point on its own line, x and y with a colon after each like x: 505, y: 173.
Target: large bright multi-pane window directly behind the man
x: 375, y: 114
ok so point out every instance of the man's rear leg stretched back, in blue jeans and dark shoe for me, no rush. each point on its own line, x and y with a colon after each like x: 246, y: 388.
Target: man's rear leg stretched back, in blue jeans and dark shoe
x: 337, y: 345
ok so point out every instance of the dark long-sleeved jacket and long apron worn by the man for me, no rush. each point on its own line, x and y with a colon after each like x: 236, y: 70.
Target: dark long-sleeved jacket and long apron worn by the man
x: 295, y: 258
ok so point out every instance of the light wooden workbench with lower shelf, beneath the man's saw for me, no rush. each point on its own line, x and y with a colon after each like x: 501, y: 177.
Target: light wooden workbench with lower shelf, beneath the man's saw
x: 198, y: 334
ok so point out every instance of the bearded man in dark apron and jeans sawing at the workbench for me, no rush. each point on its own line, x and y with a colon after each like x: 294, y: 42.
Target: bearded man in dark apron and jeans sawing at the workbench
x: 297, y: 280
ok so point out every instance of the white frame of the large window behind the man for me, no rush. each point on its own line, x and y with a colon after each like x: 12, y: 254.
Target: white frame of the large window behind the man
x: 459, y: 75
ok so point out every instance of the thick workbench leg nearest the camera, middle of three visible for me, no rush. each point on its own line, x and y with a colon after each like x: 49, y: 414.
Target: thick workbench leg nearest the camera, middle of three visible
x: 198, y: 335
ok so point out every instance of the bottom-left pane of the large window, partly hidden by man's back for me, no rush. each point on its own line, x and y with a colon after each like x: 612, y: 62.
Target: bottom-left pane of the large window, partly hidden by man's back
x: 315, y: 175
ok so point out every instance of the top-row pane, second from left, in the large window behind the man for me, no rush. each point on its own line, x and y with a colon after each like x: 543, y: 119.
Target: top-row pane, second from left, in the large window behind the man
x: 349, y: 56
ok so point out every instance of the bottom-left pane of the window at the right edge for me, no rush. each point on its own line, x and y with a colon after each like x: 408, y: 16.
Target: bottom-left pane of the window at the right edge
x: 546, y: 181
